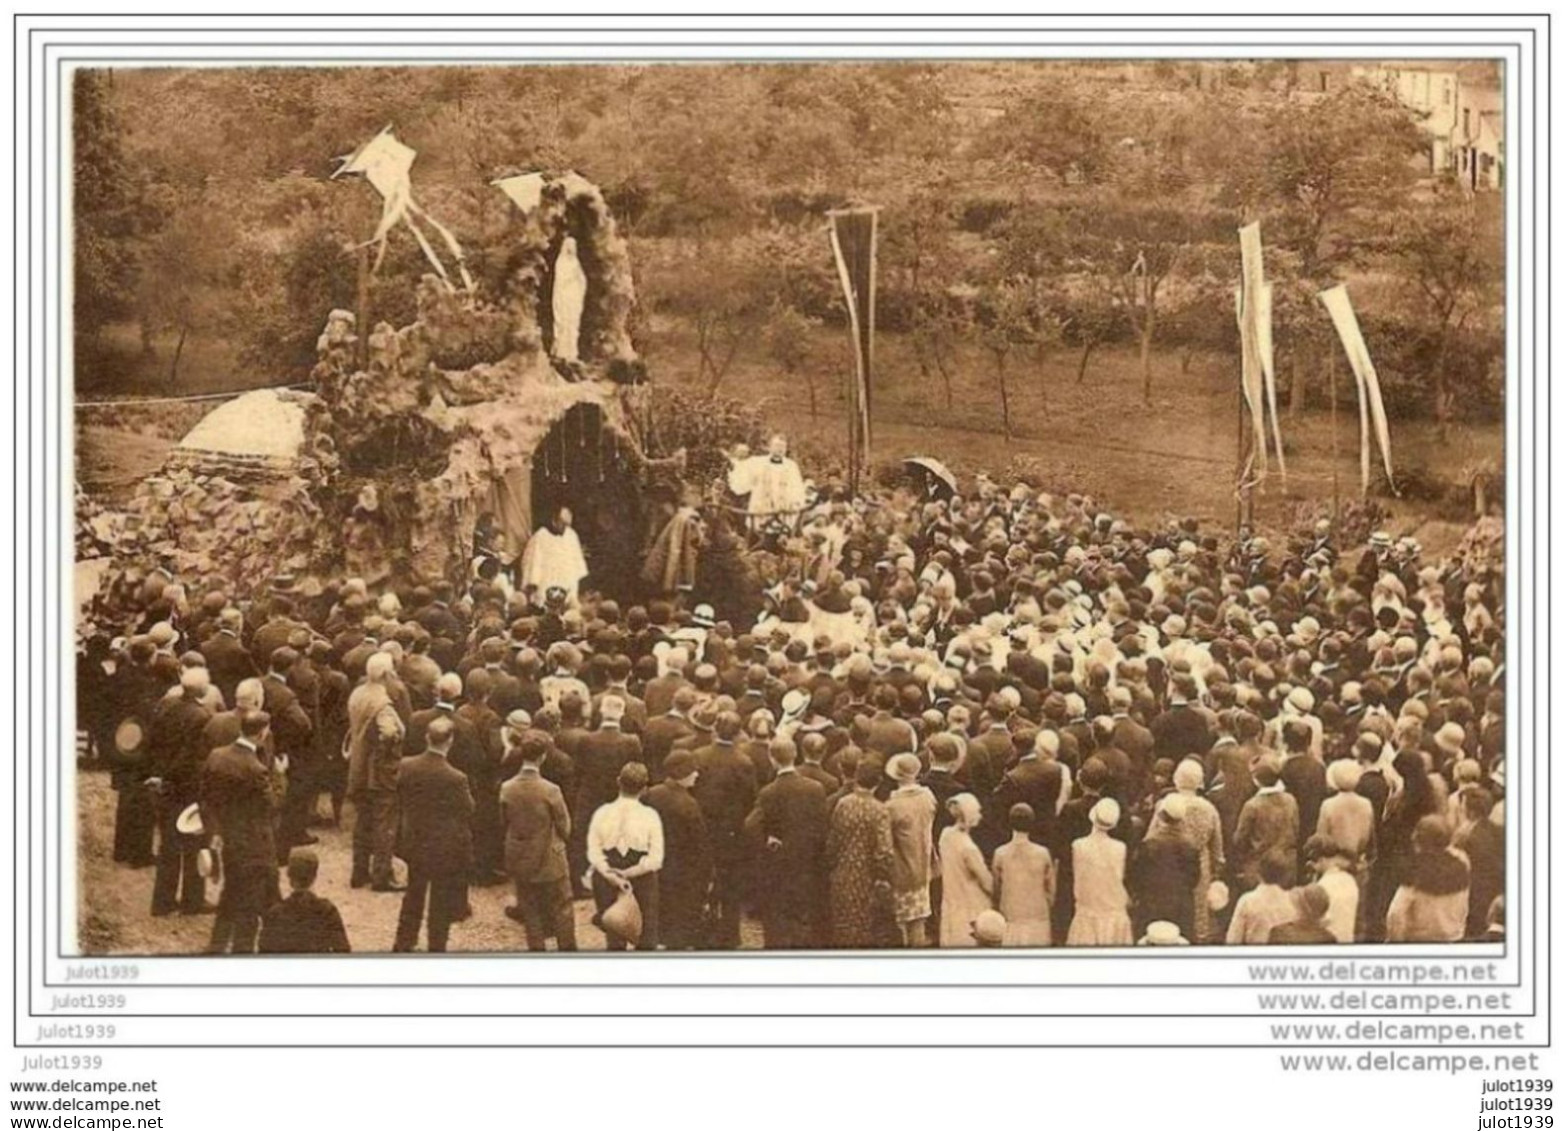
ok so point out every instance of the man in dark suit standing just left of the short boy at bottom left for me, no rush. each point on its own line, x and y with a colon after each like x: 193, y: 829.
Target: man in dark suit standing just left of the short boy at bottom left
x: 239, y: 800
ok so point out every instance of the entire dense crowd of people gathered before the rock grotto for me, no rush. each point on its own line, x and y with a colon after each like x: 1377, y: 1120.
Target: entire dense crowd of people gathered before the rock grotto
x: 1003, y: 719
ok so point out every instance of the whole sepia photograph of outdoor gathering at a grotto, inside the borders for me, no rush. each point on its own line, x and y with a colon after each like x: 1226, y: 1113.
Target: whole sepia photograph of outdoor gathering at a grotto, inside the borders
x: 762, y: 506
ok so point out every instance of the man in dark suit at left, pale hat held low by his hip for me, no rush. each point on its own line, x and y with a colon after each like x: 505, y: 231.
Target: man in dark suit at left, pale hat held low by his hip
x: 178, y: 758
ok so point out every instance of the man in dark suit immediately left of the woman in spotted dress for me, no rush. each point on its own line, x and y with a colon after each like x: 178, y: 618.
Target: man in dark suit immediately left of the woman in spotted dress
x: 787, y: 828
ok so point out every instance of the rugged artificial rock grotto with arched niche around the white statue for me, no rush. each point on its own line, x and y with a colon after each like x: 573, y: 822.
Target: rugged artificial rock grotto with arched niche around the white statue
x: 442, y: 422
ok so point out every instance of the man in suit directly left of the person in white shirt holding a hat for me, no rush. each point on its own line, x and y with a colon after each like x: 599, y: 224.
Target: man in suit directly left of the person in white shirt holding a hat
x: 537, y: 830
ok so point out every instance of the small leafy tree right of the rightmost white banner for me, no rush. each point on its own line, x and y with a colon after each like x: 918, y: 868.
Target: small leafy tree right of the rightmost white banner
x: 1452, y: 265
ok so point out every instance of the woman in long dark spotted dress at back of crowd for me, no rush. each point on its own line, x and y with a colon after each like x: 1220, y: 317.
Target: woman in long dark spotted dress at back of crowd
x: 859, y: 861
